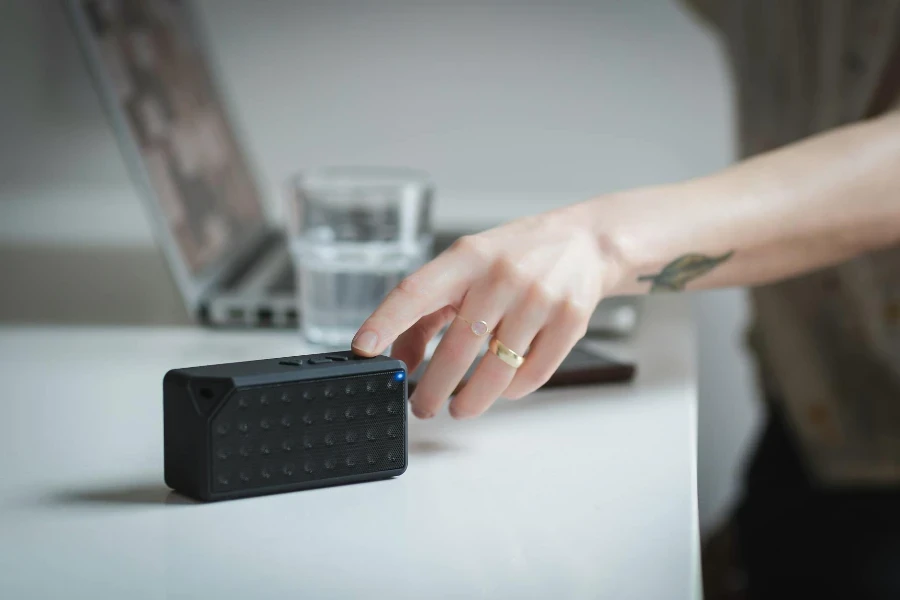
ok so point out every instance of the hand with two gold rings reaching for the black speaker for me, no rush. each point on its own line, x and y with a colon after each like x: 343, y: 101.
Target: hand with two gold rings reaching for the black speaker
x: 533, y: 282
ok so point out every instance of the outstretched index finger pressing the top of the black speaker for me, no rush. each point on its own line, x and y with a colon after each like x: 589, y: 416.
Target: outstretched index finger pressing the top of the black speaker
x: 439, y: 283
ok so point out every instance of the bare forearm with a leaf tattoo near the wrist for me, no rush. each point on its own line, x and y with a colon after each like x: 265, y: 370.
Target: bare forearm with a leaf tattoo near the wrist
x: 809, y: 205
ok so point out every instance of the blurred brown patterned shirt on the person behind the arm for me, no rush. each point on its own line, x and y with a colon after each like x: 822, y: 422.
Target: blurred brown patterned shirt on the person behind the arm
x: 828, y: 342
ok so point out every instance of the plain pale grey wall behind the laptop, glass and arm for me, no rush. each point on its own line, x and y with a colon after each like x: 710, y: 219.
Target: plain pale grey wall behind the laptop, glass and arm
x: 514, y: 107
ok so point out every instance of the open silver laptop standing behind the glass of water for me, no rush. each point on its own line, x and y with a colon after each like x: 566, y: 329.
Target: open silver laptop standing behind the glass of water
x: 229, y: 260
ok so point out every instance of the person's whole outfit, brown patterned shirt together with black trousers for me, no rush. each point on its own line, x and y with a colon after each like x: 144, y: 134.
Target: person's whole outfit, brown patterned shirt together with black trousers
x: 822, y: 493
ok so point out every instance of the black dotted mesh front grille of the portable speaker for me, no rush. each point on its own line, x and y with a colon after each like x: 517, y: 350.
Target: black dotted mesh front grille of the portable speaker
x: 276, y: 436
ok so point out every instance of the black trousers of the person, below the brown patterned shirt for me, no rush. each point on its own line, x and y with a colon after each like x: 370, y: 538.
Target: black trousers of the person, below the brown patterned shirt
x: 799, y: 540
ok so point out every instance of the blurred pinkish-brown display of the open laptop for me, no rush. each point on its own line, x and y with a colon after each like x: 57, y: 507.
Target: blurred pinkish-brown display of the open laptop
x: 162, y: 83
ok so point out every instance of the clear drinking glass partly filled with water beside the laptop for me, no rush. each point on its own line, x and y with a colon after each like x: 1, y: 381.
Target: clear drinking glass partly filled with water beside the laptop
x: 355, y: 233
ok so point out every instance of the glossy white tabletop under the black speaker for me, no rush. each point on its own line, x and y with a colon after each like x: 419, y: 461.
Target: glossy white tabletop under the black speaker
x: 583, y: 493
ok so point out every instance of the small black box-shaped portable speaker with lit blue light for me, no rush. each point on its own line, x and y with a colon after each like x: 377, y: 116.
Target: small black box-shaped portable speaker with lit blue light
x: 279, y: 425
